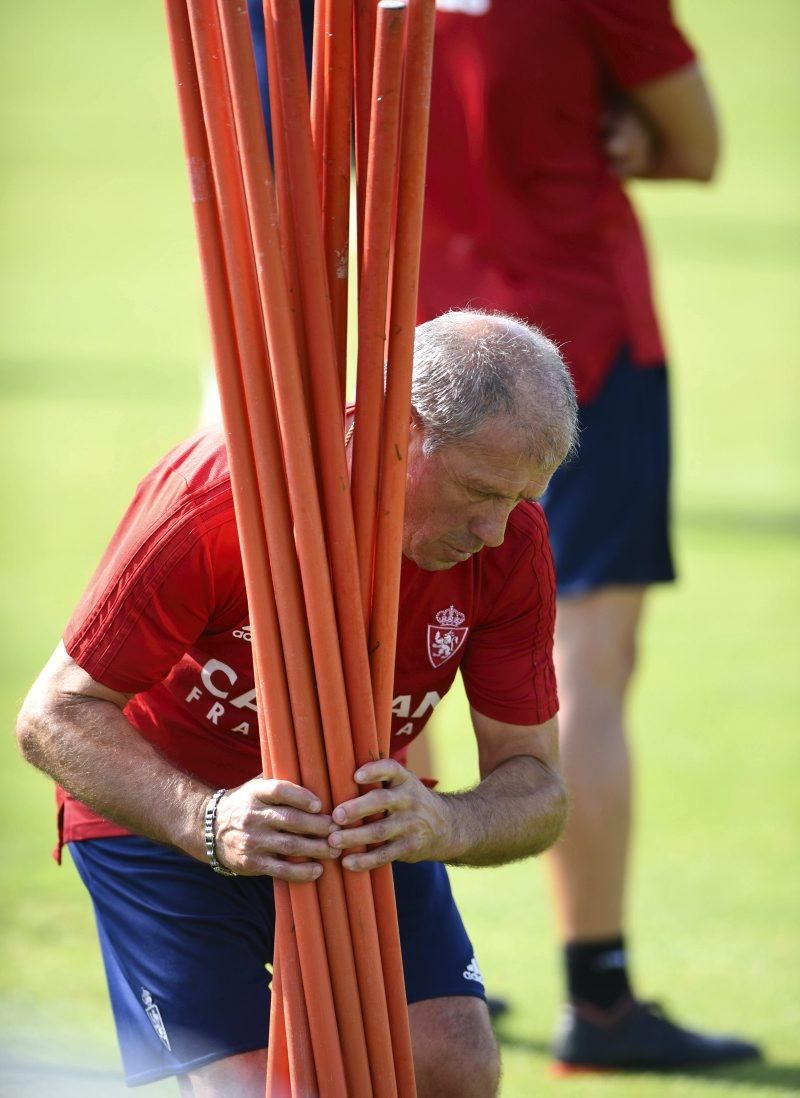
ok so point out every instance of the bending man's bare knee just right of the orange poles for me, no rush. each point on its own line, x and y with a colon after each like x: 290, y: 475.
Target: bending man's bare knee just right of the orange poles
x: 456, y: 1055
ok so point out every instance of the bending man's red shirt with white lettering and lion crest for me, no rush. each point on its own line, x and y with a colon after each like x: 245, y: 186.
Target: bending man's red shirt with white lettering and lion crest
x: 165, y: 619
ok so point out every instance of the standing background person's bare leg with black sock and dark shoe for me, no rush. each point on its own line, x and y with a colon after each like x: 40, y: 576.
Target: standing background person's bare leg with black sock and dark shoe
x: 604, y: 1026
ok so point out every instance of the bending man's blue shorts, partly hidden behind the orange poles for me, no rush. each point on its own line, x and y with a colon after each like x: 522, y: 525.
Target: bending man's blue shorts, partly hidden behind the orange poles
x: 185, y: 950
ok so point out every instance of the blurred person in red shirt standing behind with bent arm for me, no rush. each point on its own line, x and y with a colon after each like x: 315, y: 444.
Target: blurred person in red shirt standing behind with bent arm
x: 542, y: 109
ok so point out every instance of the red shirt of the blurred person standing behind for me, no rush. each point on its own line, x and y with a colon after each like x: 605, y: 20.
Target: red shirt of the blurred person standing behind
x: 523, y: 212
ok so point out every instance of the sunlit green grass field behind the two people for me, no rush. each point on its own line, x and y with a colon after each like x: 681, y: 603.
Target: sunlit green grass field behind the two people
x: 102, y: 339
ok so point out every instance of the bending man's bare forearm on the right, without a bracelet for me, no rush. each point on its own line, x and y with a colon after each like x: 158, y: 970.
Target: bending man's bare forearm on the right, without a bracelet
x: 516, y: 812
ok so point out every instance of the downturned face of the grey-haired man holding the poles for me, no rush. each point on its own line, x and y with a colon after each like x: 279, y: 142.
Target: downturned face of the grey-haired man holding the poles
x: 459, y: 499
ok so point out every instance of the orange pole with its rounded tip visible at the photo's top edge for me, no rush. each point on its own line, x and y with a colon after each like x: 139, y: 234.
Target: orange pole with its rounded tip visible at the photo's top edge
x: 381, y: 177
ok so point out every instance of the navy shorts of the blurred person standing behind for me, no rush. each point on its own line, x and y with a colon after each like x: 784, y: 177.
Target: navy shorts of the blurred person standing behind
x: 609, y: 508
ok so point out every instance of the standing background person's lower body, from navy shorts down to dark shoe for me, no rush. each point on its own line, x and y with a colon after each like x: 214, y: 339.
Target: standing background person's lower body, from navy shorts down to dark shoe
x: 610, y: 520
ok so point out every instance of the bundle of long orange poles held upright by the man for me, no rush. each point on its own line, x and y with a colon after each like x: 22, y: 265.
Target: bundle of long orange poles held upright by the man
x: 322, y: 563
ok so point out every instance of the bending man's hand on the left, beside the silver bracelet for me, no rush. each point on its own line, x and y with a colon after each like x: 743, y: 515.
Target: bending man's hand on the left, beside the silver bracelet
x: 265, y: 822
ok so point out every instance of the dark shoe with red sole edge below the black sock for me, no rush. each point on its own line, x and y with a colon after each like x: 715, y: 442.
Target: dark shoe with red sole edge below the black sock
x: 638, y: 1037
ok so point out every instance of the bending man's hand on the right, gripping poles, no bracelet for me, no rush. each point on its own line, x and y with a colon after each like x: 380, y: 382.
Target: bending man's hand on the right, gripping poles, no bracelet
x: 415, y: 827
